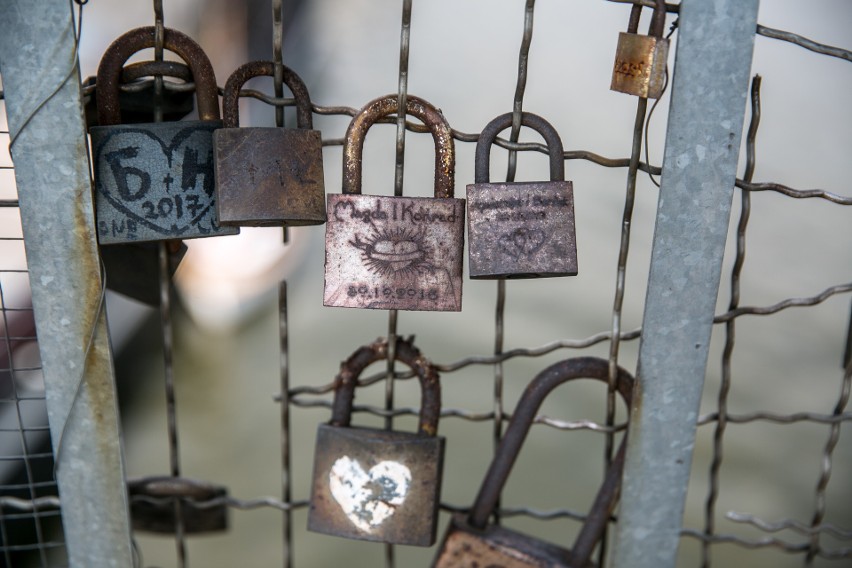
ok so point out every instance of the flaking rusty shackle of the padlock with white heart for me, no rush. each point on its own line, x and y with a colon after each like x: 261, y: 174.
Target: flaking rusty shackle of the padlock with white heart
x: 351, y: 369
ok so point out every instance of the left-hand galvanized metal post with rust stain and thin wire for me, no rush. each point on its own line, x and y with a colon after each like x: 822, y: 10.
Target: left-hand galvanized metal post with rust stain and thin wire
x: 38, y: 61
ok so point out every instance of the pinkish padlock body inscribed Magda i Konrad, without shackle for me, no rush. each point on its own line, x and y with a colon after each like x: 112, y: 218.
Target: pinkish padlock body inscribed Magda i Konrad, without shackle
x: 400, y: 253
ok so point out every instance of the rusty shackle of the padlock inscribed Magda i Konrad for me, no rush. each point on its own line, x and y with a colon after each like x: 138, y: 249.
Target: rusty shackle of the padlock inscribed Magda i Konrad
x: 445, y: 152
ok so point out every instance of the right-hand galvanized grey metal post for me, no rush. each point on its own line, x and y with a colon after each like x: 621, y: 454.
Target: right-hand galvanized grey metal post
x: 709, y: 91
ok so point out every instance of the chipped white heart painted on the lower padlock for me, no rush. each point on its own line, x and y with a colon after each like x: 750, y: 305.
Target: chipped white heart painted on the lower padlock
x: 368, y: 498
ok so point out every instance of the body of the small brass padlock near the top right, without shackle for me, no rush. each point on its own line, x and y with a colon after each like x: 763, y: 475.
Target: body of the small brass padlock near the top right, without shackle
x: 640, y: 65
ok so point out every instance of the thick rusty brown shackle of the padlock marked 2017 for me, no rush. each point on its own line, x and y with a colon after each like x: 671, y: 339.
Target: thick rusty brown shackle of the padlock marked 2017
x: 117, y: 54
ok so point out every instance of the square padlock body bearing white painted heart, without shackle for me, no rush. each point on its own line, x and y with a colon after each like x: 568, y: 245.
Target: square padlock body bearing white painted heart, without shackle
x: 376, y: 485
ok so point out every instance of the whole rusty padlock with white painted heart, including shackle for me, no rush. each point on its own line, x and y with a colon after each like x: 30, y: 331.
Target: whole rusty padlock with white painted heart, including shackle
x: 379, y: 485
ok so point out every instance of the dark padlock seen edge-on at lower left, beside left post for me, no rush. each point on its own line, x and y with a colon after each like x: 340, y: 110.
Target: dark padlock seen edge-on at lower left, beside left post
x: 203, y: 507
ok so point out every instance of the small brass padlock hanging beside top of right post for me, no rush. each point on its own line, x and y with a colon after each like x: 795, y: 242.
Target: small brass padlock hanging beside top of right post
x: 640, y: 61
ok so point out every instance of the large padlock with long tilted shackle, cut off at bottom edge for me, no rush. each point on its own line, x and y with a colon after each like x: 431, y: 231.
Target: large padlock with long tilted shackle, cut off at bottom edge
x: 470, y: 541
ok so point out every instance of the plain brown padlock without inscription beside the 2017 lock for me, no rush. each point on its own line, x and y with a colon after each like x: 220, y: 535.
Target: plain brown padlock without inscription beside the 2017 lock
x: 268, y: 176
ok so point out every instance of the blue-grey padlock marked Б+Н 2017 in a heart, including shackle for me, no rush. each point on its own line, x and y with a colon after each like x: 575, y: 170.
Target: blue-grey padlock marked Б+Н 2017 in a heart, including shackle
x: 155, y: 181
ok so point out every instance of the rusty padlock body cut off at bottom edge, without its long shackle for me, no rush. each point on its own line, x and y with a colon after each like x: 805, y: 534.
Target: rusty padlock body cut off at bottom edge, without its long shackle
x: 465, y: 546
